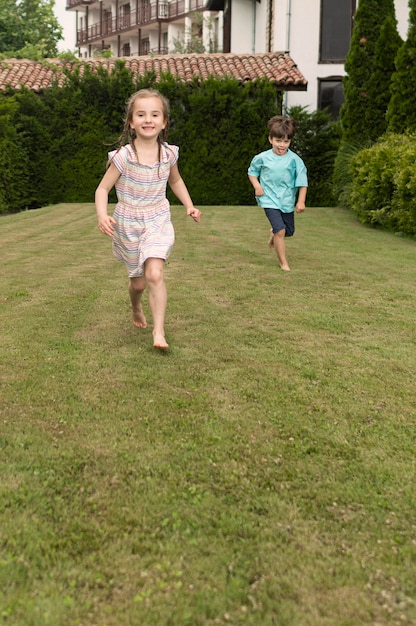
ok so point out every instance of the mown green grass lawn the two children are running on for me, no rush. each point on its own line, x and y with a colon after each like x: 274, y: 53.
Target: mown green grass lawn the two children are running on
x: 262, y: 472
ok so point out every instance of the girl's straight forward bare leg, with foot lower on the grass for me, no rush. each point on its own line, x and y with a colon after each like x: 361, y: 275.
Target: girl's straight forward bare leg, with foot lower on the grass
x: 154, y: 273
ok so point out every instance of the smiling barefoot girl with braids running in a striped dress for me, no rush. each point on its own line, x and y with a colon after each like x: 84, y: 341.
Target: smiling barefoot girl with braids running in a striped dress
x: 141, y: 226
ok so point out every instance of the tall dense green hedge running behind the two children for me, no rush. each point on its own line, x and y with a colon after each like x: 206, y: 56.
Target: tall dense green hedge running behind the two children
x: 55, y: 145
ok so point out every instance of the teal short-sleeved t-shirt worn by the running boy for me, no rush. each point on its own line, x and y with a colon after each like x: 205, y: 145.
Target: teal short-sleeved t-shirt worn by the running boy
x: 280, y: 177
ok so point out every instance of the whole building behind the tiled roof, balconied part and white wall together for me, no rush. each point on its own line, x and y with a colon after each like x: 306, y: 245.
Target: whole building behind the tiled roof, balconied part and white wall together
x: 316, y: 33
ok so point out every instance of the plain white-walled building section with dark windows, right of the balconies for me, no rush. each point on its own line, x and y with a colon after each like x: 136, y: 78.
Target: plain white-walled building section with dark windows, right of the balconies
x: 316, y: 33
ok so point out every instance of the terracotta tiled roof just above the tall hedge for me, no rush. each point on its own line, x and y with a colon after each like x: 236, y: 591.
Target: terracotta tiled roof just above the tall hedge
x: 278, y: 67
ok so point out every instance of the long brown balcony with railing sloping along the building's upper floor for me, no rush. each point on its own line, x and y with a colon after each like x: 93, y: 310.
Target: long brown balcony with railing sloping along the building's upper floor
x: 146, y: 14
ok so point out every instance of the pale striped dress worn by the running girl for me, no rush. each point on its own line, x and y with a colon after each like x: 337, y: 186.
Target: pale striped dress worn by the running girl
x: 144, y: 229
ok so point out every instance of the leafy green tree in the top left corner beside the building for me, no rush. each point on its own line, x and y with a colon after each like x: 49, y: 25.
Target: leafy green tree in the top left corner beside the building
x: 28, y: 29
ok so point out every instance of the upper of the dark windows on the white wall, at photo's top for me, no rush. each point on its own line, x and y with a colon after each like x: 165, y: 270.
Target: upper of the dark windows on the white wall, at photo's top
x: 336, y: 27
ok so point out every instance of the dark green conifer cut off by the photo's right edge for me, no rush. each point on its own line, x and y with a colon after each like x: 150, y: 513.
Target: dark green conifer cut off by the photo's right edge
x: 401, y: 114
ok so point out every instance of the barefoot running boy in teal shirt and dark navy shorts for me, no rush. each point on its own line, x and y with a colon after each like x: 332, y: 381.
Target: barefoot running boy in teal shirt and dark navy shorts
x: 280, y: 182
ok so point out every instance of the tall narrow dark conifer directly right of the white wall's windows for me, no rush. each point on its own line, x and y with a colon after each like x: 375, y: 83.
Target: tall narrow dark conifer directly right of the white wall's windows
x: 362, y: 111
